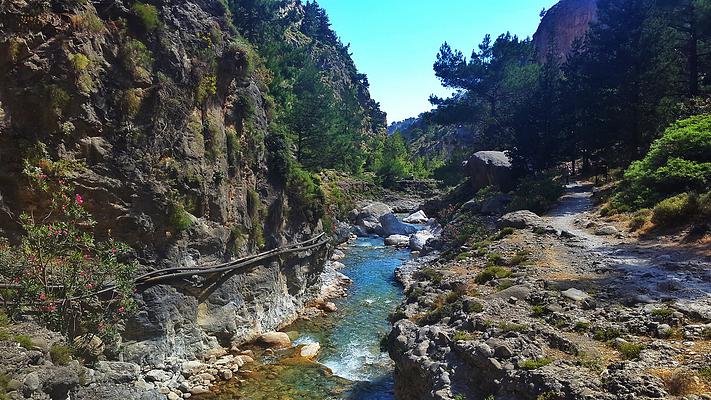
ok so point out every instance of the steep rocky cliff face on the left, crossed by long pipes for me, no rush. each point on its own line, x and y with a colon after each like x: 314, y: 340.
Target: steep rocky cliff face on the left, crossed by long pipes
x: 165, y: 110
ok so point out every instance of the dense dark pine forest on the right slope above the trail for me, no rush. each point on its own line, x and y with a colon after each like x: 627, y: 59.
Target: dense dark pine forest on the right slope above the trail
x: 641, y: 66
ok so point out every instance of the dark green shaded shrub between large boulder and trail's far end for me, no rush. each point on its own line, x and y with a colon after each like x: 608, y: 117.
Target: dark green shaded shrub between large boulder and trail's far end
x: 537, y: 194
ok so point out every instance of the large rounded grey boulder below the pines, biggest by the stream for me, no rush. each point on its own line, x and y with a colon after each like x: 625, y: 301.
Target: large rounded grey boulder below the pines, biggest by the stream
x: 489, y: 168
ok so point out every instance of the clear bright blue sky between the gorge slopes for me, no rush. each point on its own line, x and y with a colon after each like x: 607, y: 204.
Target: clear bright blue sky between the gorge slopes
x: 395, y: 42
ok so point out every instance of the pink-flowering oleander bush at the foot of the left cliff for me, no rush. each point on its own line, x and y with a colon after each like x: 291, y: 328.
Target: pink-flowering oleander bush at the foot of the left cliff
x: 57, y: 270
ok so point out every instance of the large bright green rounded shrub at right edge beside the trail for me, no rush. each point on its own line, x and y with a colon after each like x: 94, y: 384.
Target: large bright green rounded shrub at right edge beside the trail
x: 678, y: 162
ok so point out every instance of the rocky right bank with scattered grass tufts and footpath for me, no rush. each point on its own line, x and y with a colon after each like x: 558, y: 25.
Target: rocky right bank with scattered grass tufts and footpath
x: 566, y: 306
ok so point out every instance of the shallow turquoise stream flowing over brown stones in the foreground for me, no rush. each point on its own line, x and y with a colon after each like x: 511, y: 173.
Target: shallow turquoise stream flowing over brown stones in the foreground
x: 350, y: 364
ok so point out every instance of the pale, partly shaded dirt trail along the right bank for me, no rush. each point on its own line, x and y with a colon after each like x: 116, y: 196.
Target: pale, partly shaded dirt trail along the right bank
x: 631, y: 270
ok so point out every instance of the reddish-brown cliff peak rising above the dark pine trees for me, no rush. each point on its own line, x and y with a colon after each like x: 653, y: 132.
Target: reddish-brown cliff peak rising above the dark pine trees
x: 562, y: 24
